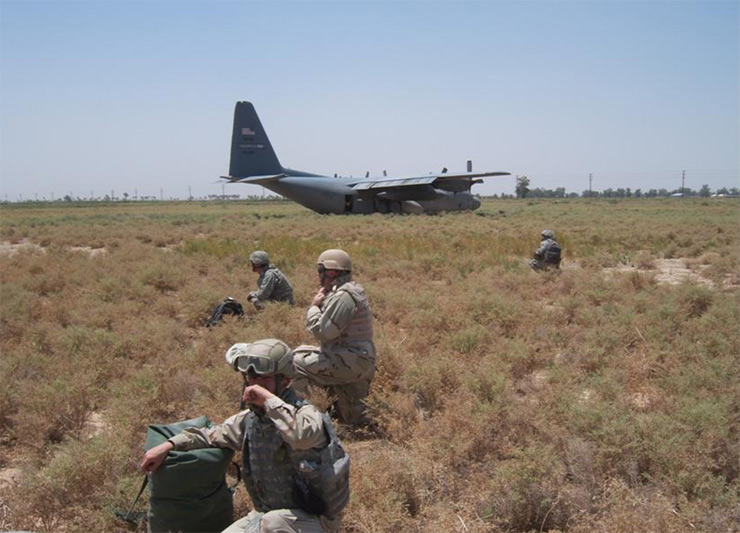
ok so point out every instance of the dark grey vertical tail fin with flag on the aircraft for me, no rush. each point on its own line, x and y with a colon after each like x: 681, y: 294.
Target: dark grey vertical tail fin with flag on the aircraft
x: 251, y: 151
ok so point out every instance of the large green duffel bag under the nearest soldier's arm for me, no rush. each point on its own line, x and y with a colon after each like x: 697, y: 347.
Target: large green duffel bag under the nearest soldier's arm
x: 188, y: 493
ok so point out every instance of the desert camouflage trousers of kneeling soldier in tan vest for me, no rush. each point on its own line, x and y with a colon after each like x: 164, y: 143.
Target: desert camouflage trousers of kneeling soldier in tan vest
x: 347, y: 375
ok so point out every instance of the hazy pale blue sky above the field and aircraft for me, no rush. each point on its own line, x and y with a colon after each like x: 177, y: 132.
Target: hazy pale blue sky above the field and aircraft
x: 138, y: 97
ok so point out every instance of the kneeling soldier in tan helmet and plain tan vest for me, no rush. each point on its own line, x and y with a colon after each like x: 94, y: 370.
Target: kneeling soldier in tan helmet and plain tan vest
x: 341, y: 320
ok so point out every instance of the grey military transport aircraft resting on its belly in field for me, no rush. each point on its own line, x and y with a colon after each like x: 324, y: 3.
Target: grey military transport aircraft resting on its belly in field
x: 254, y: 161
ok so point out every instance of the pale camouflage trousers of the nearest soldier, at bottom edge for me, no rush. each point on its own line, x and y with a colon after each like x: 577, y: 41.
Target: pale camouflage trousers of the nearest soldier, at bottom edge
x: 280, y: 521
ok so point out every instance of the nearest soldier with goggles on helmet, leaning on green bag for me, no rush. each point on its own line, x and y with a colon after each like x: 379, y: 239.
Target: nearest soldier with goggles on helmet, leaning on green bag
x: 284, y: 443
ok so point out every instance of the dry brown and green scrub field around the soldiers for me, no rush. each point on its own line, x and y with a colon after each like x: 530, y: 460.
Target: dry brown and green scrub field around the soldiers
x: 601, y: 398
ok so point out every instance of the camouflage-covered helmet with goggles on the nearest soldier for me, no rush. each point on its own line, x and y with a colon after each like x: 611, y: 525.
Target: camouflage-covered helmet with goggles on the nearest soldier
x: 264, y: 357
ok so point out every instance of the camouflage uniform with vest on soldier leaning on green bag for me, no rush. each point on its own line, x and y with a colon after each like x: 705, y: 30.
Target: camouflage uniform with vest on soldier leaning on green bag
x: 269, y: 476
